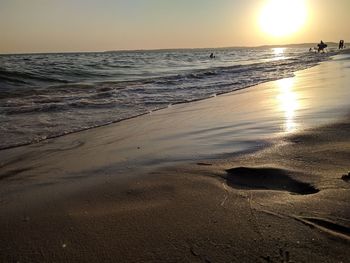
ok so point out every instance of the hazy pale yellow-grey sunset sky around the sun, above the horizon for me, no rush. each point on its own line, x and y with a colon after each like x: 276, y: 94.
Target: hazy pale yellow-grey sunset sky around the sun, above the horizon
x: 98, y: 25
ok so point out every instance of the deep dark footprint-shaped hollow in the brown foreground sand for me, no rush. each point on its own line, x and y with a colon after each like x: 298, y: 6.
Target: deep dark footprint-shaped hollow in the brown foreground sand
x: 267, y: 179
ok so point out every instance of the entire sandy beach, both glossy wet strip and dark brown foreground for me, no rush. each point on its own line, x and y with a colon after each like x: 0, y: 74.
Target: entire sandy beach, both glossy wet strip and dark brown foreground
x: 249, y: 176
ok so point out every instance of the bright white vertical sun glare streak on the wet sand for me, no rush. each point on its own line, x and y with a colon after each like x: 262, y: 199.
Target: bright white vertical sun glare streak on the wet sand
x: 288, y: 102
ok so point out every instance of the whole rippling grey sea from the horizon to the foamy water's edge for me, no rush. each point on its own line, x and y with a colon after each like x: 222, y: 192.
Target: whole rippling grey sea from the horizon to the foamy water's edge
x: 49, y: 95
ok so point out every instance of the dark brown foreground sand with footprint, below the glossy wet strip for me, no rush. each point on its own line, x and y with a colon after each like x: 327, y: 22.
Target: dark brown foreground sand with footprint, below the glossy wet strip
x: 293, y: 205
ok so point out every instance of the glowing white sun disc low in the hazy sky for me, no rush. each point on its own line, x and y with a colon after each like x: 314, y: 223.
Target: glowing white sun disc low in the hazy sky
x: 283, y: 17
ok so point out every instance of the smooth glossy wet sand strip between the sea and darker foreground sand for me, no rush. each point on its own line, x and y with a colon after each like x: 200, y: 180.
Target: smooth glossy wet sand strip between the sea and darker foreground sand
x: 231, y: 124
